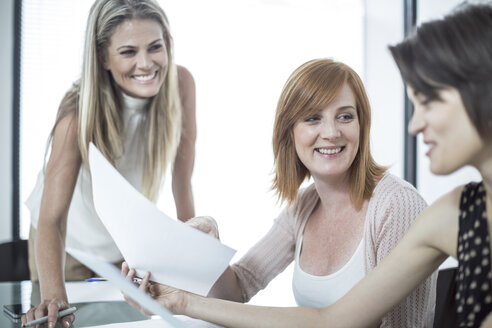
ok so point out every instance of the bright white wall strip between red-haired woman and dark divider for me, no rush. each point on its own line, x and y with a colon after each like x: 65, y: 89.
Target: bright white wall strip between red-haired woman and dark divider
x: 384, y: 26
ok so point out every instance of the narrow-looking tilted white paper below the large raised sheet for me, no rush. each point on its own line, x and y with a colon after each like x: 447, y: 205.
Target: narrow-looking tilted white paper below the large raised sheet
x: 109, y: 271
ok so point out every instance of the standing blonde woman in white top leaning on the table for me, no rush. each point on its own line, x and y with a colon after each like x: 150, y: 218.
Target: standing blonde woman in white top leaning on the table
x: 138, y: 107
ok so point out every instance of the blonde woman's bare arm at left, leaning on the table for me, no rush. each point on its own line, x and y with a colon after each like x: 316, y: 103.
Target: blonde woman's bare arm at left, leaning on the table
x: 60, y: 178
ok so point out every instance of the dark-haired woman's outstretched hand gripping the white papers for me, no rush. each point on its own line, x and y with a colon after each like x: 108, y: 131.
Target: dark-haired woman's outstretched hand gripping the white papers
x: 171, y: 298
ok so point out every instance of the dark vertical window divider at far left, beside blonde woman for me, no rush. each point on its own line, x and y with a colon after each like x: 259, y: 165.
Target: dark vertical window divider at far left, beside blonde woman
x: 16, y: 121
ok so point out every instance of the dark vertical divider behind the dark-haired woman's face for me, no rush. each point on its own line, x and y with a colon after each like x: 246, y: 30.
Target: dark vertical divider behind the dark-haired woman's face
x: 410, y: 142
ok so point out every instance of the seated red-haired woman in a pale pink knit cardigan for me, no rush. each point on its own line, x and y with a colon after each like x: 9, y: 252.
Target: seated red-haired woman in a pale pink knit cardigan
x: 346, y: 222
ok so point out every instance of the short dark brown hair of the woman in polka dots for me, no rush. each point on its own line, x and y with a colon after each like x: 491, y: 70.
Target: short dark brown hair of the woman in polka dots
x: 456, y: 52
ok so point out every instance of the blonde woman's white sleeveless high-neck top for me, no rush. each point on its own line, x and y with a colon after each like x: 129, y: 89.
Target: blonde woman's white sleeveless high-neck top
x: 85, y: 231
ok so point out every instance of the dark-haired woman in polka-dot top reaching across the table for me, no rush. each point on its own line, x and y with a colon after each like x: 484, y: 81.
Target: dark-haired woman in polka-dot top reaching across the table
x: 447, y: 67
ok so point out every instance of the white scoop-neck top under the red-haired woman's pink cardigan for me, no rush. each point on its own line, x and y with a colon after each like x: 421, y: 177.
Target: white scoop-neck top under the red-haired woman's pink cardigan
x: 321, y: 291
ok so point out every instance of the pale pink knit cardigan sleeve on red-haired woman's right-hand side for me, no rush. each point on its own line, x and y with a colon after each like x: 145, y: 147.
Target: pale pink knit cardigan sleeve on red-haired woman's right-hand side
x: 395, y: 205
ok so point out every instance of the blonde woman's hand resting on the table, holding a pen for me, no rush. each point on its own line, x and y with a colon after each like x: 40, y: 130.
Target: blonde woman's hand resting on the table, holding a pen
x: 51, y: 309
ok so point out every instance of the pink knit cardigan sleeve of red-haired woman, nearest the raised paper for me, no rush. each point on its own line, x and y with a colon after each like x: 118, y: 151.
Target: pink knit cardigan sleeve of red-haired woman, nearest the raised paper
x: 268, y: 258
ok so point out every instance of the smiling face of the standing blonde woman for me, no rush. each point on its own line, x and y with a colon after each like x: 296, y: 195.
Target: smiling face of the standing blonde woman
x: 137, y: 57
